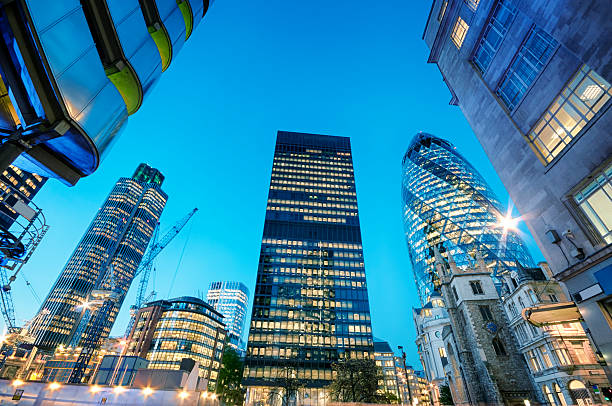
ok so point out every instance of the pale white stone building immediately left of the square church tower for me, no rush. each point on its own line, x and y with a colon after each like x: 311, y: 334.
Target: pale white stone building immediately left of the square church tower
x: 429, y: 322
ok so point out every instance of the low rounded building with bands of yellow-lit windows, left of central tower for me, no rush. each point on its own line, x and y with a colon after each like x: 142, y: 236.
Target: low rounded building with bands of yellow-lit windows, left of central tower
x: 167, y: 331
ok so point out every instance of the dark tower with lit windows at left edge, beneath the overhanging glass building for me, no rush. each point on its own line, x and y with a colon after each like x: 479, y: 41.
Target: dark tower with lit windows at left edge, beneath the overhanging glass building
x: 16, y: 187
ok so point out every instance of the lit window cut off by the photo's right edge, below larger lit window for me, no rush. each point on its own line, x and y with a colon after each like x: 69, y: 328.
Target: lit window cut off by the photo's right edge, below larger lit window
x: 595, y: 200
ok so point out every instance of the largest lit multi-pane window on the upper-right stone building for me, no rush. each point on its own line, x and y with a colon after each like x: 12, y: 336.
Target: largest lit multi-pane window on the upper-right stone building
x: 584, y: 95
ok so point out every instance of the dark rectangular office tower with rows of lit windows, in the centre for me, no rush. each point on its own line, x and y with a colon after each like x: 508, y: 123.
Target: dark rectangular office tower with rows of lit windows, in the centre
x: 311, y: 304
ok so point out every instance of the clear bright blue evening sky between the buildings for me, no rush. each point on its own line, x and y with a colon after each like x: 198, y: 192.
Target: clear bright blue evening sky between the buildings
x: 351, y: 68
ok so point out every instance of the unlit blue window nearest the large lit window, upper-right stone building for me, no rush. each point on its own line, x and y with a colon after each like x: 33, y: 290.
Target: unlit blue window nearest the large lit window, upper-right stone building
x: 527, y: 64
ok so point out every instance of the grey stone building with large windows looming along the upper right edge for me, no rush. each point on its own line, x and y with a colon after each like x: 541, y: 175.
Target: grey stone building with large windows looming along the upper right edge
x: 537, y: 95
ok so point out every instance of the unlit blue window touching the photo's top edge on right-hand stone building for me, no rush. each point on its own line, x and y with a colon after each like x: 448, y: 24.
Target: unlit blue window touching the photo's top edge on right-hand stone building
x: 493, y: 34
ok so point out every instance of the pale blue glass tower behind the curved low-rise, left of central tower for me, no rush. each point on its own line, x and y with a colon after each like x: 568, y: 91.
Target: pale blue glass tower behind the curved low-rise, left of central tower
x: 231, y: 299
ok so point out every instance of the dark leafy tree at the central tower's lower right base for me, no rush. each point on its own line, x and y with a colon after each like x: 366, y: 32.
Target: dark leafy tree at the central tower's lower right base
x: 356, y: 381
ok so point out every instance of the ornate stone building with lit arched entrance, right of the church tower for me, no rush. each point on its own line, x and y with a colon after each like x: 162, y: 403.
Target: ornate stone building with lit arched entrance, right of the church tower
x: 560, y: 358
